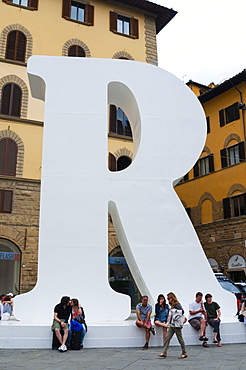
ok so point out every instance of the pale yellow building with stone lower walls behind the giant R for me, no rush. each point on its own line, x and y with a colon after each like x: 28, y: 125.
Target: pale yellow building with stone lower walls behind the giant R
x: 122, y: 29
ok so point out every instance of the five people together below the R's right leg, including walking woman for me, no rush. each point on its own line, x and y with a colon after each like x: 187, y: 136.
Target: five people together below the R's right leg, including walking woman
x: 171, y: 318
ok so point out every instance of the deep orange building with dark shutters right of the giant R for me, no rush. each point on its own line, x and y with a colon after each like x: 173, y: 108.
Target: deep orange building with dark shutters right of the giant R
x: 214, y: 191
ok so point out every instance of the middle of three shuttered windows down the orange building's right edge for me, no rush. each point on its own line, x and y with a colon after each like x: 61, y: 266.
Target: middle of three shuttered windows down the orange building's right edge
x: 232, y: 155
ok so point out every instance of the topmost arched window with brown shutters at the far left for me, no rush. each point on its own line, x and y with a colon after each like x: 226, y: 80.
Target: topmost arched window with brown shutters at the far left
x: 16, y: 46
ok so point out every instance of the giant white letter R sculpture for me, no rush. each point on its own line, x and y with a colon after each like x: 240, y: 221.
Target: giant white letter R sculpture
x: 156, y: 236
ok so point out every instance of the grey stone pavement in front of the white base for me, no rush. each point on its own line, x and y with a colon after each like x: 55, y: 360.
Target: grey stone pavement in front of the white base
x: 230, y: 356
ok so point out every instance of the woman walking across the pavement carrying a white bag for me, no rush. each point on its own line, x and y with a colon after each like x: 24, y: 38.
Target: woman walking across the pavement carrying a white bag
x: 175, y: 325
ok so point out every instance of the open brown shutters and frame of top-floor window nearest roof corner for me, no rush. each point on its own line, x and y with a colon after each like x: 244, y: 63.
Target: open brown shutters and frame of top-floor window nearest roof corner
x: 133, y: 22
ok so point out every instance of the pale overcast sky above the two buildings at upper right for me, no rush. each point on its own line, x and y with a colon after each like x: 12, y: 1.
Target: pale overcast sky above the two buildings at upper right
x: 205, y: 42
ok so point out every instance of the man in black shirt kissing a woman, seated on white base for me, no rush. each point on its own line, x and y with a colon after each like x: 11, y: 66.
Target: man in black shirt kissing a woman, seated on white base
x: 62, y: 312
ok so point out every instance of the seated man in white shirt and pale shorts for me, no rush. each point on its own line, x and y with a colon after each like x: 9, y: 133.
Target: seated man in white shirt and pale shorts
x: 198, y: 317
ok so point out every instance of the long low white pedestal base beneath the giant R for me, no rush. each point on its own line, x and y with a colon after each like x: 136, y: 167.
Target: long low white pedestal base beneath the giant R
x: 16, y: 334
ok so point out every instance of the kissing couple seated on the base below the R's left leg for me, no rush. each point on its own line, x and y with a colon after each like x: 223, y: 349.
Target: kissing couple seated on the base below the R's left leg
x: 68, y: 309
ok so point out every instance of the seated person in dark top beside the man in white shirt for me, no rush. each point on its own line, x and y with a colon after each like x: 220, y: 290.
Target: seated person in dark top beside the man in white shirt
x: 213, y: 317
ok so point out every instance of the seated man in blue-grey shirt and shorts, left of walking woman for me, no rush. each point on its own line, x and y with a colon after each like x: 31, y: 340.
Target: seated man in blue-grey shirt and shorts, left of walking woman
x: 143, y: 312
